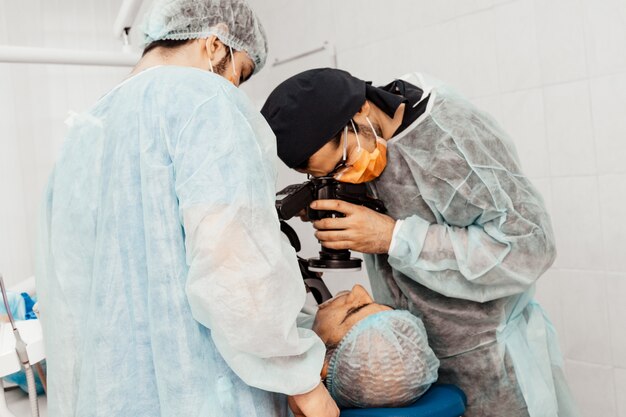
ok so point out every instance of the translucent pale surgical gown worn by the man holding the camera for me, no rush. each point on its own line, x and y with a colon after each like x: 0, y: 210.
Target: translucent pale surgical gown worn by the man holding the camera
x: 473, y: 238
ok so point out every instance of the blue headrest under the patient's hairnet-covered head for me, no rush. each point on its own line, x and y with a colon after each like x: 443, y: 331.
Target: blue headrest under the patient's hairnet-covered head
x: 440, y: 400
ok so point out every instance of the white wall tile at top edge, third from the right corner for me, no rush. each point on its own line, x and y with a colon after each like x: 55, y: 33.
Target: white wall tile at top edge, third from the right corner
x: 518, y: 56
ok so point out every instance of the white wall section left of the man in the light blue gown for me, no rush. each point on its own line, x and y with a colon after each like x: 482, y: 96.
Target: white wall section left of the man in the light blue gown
x: 34, y: 102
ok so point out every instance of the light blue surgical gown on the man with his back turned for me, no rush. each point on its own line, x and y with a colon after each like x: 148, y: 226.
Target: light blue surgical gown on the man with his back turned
x: 165, y: 284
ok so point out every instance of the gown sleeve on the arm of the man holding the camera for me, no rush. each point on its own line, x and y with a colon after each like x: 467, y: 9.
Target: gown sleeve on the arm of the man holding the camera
x: 492, y: 235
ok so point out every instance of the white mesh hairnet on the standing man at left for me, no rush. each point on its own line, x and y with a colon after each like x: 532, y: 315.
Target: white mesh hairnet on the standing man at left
x: 232, y: 21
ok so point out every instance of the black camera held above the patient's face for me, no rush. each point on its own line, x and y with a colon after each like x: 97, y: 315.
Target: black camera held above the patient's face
x: 293, y: 199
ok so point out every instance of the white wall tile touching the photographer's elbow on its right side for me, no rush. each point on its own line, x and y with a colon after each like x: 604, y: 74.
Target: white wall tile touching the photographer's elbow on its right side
x: 575, y: 218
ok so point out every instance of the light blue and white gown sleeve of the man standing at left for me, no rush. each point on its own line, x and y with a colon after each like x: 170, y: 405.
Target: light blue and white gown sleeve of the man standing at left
x: 243, y: 280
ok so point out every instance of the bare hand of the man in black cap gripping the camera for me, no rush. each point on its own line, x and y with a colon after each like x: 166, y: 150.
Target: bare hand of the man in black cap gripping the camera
x: 363, y: 230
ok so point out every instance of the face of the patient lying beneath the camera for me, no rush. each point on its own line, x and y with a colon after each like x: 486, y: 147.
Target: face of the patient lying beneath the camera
x: 336, y: 316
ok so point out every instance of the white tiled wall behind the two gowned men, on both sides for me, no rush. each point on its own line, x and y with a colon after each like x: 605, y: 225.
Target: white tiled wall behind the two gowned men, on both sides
x: 552, y: 71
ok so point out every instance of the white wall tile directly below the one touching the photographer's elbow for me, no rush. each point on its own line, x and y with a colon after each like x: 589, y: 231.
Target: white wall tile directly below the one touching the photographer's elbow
x: 585, y: 317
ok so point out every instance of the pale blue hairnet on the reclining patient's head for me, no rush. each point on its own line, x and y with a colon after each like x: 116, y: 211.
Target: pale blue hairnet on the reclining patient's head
x: 383, y: 361
